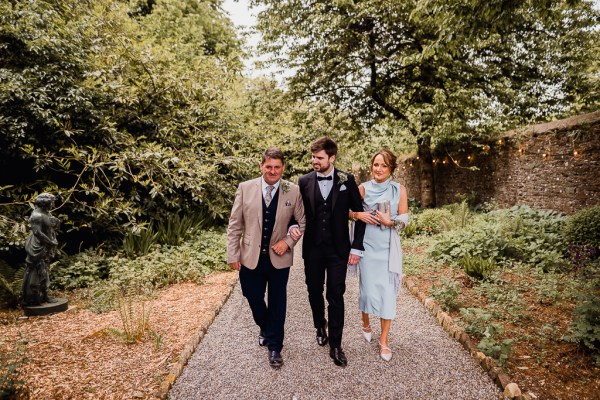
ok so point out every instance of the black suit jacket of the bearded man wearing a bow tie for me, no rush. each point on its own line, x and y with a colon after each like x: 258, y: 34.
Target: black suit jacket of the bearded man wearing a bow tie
x: 345, y: 197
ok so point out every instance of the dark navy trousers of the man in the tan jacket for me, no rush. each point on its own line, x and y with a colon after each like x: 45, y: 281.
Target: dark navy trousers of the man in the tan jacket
x: 270, y: 316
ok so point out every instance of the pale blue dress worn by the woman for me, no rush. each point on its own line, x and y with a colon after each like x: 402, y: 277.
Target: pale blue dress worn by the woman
x: 377, y: 289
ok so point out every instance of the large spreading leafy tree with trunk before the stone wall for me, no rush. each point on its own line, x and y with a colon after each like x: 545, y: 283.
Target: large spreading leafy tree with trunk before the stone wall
x: 450, y: 69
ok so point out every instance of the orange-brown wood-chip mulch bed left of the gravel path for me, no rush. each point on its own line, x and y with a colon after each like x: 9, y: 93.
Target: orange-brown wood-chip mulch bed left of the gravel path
x: 70, y: 355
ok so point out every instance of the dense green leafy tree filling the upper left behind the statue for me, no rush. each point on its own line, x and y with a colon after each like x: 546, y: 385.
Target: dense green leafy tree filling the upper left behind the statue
x: 105, y: 110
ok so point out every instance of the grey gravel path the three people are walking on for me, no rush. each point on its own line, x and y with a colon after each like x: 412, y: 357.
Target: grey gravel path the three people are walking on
x: 427, y: 364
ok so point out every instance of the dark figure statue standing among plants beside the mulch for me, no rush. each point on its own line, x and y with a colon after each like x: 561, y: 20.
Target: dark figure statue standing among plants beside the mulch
x: 40, y: 247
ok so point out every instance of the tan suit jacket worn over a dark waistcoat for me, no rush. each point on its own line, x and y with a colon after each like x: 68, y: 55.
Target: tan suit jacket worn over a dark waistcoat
x: 246, y: 223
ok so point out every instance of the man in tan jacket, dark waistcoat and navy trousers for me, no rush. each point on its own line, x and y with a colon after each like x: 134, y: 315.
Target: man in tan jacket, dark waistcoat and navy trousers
x: 259, y: 247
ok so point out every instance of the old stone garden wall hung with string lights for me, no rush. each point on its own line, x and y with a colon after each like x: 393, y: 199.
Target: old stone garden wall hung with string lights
x: 550, y: 166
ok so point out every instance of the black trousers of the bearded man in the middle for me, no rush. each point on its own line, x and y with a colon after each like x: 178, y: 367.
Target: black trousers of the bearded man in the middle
x: 324, y: 267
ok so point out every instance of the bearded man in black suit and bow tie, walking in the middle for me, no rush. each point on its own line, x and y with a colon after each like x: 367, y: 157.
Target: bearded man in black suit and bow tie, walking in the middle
x: 328, y: 195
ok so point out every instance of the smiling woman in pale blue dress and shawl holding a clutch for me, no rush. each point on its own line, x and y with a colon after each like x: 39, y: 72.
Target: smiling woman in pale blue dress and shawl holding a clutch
x: 386, y: 211
